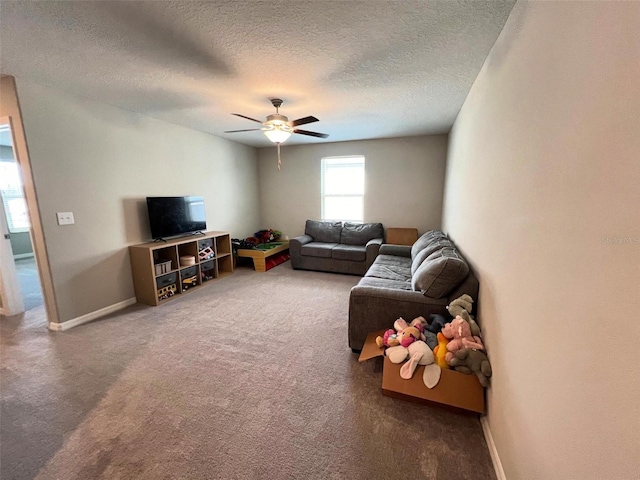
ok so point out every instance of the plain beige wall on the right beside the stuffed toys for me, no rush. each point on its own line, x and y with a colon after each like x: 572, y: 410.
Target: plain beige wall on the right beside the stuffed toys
x: 542, y: 195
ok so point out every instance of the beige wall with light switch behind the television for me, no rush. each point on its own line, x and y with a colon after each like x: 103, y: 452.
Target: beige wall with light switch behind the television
x: 100, y: 163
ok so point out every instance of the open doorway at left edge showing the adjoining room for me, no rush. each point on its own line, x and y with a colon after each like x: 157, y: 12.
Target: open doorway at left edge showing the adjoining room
x: 21, y: 290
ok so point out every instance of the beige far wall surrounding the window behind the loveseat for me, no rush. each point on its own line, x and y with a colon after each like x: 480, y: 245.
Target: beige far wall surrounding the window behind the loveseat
x: 404, y: 180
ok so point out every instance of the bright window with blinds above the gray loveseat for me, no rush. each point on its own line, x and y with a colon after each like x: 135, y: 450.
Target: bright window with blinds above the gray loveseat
x: 343, y: 188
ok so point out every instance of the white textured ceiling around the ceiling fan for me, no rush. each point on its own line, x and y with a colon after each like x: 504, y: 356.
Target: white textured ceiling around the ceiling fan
x: 366, y: 69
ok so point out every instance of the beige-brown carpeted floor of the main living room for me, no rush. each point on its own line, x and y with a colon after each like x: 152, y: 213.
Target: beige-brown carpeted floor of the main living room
x: 250, y: 378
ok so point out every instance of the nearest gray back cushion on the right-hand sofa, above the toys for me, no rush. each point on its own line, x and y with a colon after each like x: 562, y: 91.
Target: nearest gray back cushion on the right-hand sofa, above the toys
x: 440, y: 273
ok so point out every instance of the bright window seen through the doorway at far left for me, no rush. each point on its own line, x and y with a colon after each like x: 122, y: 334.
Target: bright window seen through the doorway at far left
x: 15, y: 205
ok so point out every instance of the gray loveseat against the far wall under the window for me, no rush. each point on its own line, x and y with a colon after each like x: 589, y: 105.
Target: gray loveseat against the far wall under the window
x: 333, y: 247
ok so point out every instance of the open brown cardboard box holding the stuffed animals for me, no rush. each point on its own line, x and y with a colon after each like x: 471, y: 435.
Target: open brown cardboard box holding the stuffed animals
x: 455, y: 389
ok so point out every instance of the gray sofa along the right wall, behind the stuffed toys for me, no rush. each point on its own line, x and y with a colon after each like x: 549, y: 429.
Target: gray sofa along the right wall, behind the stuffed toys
x: 408, y: 282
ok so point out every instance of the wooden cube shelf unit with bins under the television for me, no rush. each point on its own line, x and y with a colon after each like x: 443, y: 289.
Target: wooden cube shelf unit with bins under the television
x: 179, y: 279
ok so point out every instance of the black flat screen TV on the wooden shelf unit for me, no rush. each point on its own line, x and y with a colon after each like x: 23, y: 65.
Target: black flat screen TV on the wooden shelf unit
x: 171, y: 216
